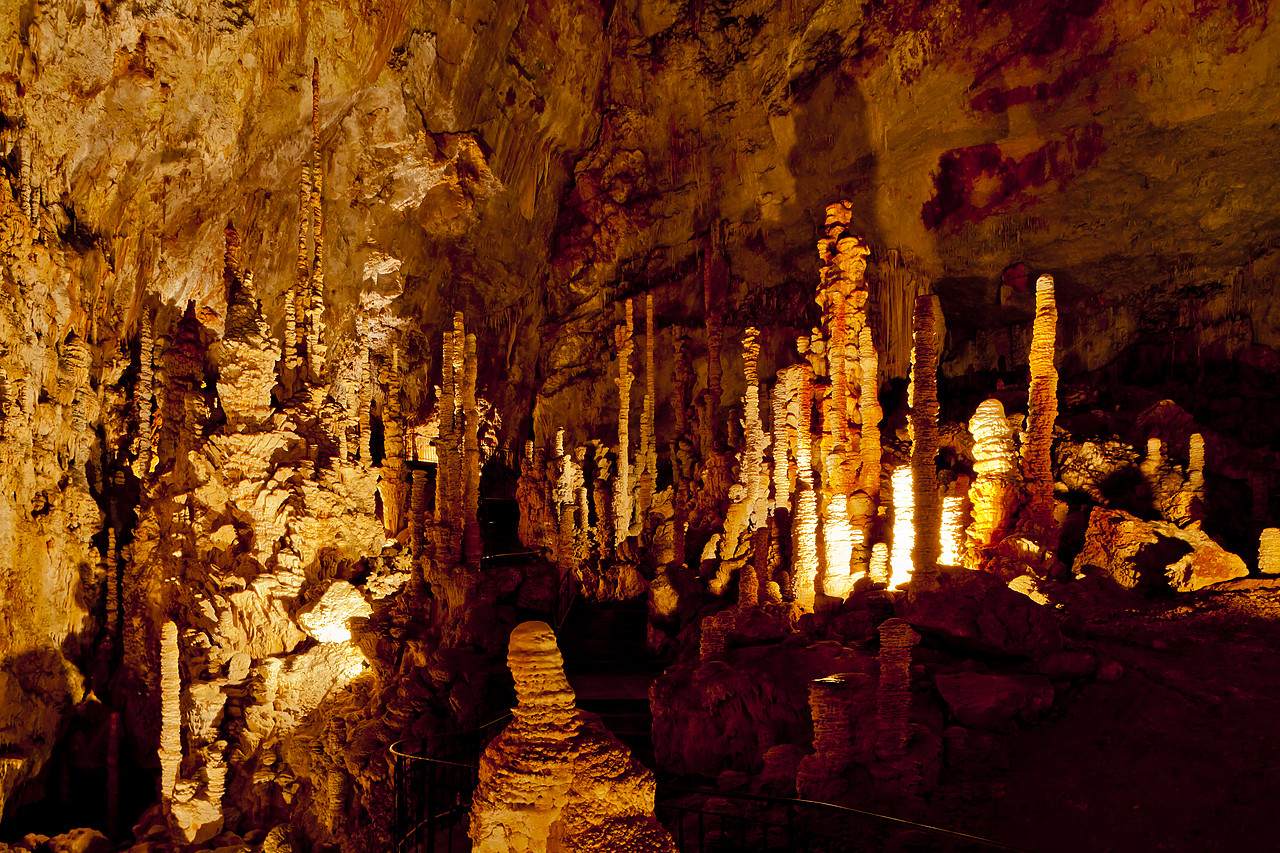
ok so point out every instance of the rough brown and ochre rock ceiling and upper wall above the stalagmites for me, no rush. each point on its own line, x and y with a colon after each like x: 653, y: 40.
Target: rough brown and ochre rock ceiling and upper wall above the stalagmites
x: 531, y: 163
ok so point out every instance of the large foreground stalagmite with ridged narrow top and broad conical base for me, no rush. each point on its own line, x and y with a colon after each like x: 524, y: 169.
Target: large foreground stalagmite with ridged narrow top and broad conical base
x: 556, y: 781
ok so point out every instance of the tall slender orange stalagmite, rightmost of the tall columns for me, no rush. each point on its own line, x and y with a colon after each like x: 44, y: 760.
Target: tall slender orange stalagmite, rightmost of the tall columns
x: 1043, y: 414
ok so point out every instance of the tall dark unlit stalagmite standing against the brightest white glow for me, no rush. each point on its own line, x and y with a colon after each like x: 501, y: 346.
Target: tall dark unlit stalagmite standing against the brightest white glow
x: 924, y: 403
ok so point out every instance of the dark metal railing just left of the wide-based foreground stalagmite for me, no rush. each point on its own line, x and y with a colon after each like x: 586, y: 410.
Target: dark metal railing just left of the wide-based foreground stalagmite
x: 435, y: 781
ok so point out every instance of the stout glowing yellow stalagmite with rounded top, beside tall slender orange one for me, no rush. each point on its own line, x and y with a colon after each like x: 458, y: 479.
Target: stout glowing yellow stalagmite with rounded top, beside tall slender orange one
x: 995, y: 487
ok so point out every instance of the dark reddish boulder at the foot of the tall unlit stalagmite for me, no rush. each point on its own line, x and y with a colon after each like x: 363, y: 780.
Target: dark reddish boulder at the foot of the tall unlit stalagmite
x: 979, y: 612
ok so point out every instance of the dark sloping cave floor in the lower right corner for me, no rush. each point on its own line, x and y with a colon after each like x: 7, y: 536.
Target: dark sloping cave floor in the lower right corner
x: 1182, y: 754
